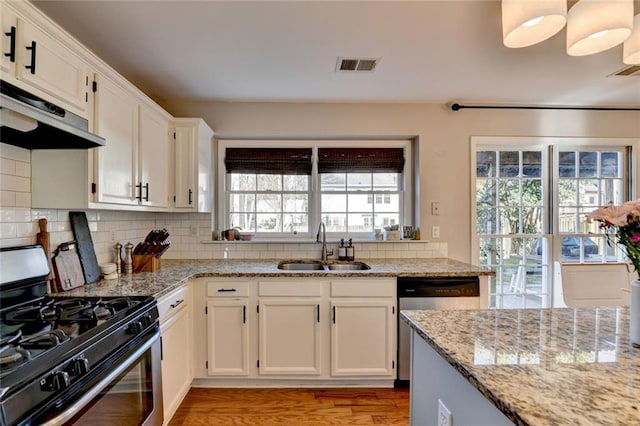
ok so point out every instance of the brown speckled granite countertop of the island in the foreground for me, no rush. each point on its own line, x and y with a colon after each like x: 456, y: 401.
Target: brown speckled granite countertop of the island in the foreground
x: 542, y: 366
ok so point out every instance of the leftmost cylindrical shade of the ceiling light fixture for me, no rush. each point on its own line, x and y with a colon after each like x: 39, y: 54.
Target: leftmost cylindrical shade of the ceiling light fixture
x: 528, y: 22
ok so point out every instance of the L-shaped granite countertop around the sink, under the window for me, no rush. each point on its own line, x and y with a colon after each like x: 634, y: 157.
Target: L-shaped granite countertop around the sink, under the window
x: 175, y: 272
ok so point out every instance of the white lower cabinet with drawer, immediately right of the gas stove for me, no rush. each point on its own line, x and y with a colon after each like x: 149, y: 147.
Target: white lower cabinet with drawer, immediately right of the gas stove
x: 176, y: 334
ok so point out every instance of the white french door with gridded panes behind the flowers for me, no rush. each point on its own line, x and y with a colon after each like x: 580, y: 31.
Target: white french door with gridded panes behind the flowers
x: 530, y: 203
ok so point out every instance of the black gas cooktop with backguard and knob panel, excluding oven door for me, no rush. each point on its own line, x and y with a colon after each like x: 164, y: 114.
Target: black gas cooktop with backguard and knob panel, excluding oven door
x: 54, y: 349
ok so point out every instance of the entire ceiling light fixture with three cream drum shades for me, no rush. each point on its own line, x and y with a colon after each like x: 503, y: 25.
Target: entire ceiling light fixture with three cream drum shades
x: 592, y: 25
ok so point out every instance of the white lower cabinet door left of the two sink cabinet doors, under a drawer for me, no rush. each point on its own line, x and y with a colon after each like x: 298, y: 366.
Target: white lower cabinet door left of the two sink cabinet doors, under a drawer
x: 228, y: 343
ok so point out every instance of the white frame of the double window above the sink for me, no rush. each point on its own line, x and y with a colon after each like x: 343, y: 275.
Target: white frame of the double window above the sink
x: 220, y: 213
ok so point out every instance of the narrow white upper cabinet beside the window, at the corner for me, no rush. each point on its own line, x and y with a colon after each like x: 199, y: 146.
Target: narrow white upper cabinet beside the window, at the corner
x: 192, y: 154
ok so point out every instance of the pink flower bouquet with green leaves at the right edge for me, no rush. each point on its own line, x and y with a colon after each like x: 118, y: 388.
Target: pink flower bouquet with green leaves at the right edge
x: 622, y: 225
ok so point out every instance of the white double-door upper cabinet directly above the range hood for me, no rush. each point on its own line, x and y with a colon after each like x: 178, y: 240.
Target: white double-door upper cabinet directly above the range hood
x: 35, y: 61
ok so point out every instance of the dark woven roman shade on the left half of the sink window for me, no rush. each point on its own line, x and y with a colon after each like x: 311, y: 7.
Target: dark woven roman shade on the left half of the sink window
x: 288, y: 161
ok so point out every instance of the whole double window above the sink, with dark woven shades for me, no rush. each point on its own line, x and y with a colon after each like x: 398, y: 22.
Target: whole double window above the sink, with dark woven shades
x: 285, y: 191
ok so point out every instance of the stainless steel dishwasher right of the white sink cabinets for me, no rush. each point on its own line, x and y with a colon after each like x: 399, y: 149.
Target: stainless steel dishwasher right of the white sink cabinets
x: 420, y: 293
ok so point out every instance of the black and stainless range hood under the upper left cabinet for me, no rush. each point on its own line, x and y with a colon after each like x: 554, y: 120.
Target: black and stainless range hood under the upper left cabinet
x: 30, y: 122
